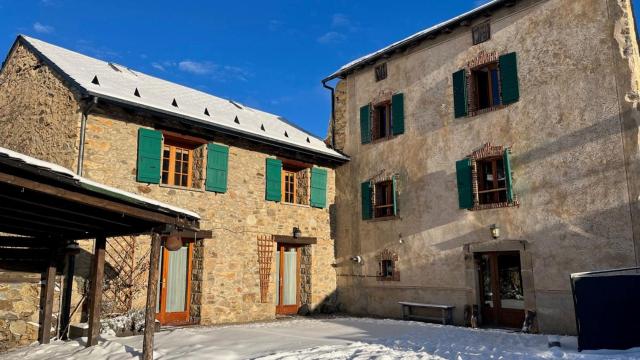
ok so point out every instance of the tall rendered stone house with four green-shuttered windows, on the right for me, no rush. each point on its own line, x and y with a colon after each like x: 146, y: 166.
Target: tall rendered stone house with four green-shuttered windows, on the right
x: 492, y: 156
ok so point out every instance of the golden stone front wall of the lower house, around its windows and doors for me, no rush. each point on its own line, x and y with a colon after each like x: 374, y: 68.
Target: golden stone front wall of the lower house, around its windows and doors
x: 229, y: 288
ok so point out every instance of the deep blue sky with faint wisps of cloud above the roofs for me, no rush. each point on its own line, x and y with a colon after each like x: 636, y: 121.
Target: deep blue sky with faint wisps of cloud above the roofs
x: 270, y: 55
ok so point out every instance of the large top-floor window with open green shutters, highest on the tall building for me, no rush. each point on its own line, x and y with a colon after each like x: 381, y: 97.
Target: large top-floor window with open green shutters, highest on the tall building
x: 487, y: 83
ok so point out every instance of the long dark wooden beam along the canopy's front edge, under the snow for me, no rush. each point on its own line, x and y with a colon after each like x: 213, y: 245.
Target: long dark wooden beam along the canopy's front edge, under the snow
x: 94, y: 201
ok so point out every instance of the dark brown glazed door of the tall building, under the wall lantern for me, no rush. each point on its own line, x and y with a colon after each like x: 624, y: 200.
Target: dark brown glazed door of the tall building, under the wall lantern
x: 501, y: 291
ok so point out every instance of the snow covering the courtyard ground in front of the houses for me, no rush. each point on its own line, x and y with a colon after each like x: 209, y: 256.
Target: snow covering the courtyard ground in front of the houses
x: 335, y: 338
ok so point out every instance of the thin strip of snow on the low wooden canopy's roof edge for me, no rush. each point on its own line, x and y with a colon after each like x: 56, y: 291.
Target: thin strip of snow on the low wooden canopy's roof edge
x: 92, y: 185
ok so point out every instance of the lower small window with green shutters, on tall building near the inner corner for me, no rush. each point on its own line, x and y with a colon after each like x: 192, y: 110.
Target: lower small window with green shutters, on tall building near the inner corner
x: 379, y: 198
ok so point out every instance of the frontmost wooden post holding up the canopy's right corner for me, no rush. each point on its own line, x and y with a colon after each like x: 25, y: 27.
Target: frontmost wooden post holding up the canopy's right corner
x: 152, y: 293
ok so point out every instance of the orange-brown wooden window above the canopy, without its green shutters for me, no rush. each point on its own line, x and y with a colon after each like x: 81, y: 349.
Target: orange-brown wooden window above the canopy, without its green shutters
x: 173, y: 145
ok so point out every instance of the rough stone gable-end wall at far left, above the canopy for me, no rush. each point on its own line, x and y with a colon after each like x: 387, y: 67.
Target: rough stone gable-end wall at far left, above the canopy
x: 39, y: 115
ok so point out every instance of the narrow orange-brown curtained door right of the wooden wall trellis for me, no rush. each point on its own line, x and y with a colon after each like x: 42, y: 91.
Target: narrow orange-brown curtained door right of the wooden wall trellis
x: 287, y: 279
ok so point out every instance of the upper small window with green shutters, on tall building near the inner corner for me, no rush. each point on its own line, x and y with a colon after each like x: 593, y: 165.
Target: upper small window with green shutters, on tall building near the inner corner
x: 383, y: 119
